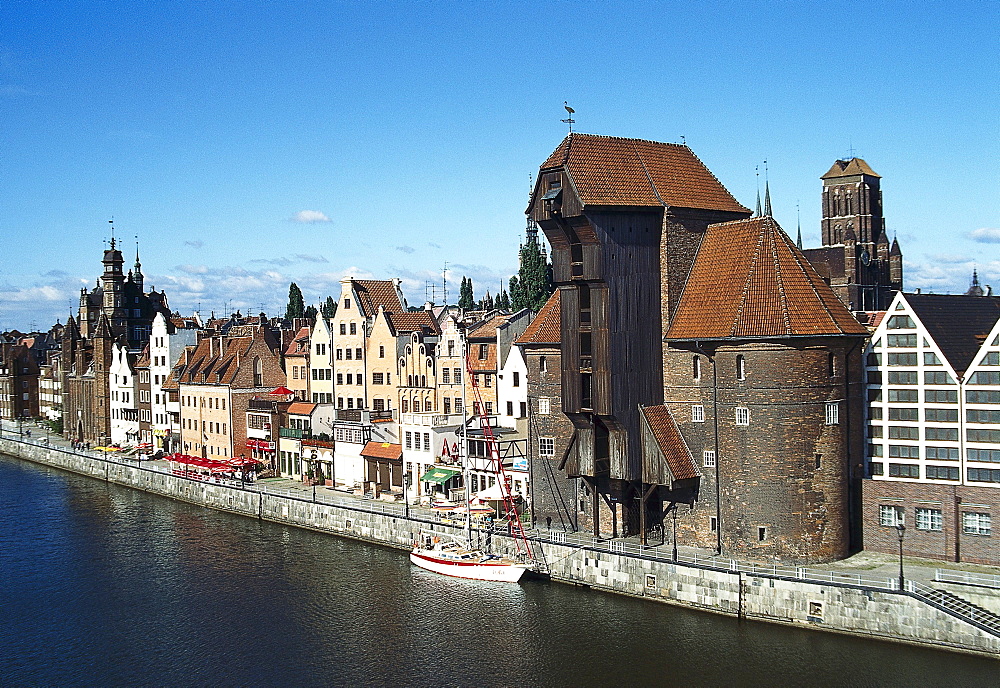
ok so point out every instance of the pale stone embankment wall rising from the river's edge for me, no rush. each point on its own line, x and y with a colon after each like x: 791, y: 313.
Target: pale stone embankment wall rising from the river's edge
x: 853, y: 609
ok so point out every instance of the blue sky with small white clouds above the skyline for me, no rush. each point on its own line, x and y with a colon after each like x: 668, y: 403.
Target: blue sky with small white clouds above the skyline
x: 409, y: 132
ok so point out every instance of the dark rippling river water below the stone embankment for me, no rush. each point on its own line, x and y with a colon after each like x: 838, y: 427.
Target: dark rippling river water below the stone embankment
x: 107, y: 586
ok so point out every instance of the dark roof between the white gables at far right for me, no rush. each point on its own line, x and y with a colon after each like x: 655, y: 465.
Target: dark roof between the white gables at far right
x: 958, y: 323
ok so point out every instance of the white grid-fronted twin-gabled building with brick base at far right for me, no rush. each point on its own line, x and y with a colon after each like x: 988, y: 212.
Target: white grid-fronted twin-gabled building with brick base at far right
x: 933, y: 375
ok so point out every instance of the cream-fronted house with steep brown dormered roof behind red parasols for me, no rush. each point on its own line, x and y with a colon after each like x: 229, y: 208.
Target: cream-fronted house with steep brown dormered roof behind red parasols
x: 216, y: 381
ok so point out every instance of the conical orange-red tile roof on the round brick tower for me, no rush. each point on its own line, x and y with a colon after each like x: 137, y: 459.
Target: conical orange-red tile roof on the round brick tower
x: 750, y: 280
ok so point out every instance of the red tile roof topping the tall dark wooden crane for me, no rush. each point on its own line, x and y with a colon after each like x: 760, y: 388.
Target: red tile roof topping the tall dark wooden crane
x: 607, y: 170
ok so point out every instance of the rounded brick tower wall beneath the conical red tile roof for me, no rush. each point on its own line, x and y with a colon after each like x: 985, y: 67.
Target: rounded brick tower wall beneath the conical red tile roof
x: 766, y: 473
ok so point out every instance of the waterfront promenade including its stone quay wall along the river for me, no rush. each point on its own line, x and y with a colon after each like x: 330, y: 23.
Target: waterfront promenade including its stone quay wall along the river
x: 859, y: 596
